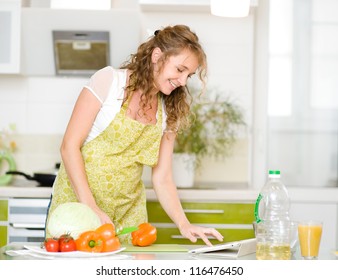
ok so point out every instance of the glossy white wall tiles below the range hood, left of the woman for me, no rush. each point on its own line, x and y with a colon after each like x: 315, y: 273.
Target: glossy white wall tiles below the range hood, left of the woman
x: 38, y: 105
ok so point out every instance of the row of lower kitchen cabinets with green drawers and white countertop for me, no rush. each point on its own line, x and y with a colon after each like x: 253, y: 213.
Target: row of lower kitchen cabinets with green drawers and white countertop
x: 228, y: 210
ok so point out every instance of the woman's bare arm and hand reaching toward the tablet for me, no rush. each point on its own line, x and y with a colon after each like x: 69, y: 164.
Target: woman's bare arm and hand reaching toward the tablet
x: 167, y: 195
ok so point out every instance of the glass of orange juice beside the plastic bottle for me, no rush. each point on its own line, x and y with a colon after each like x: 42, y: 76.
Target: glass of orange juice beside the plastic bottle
x: 309, y: 233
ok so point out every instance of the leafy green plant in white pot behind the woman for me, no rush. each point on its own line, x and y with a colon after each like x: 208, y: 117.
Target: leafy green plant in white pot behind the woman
x: 215, y: 123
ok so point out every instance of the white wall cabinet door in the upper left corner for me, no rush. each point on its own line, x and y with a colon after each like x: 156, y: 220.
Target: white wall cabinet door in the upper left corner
x: 10, y: 14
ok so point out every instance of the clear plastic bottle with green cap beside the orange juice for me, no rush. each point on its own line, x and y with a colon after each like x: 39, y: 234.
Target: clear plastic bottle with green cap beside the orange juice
x: 273, y: 221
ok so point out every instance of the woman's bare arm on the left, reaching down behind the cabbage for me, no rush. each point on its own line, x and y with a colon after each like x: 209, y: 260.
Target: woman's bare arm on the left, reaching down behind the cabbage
x: 84, y: 113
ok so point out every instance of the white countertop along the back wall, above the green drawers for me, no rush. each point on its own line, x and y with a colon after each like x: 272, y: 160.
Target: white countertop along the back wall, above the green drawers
x: 227, y: 194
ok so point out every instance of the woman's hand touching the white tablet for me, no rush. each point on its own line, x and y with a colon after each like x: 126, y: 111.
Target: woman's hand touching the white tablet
x: 192, y: 232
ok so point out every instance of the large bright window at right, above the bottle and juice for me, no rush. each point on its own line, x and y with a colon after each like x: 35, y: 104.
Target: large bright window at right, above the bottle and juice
x: 303, y: 64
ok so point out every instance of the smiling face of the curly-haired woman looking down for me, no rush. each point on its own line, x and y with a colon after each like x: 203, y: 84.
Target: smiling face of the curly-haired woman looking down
x: 175, y: 72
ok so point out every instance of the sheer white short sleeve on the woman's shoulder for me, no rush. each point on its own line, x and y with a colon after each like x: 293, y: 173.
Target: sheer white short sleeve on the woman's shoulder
x: 100, y: 82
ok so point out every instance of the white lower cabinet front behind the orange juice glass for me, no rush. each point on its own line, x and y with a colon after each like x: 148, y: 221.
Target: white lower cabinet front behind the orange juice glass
x: 325, y: 212
